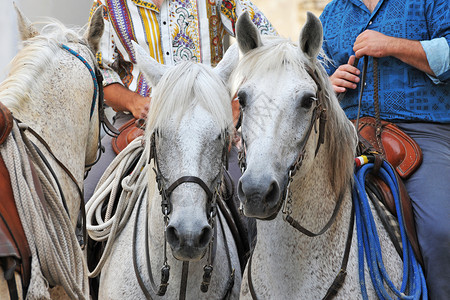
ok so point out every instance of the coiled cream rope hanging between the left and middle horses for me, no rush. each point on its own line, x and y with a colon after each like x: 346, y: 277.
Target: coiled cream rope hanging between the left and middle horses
x: 108, y: 227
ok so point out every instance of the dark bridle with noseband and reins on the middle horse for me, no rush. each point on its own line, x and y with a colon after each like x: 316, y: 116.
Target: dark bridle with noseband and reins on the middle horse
x: 166, y: 208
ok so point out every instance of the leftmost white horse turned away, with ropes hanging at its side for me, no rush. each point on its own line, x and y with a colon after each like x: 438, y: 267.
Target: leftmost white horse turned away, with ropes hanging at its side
x: 52, y: 92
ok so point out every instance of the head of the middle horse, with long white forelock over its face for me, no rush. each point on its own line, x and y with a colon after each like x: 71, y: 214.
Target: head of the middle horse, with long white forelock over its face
x: 187, y: 133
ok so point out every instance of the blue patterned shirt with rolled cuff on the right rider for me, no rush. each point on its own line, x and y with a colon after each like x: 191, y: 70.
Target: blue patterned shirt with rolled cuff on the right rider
x: 405, y: 93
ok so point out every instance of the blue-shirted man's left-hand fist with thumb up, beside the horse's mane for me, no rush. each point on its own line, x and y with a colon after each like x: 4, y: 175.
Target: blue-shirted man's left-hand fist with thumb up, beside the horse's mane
x: 345, y: 77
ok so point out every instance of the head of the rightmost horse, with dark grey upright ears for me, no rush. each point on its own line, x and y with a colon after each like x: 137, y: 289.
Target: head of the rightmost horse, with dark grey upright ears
x: 285, y: 98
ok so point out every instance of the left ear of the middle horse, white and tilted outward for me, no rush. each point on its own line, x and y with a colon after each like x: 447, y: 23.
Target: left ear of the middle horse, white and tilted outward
x: 152, y: 69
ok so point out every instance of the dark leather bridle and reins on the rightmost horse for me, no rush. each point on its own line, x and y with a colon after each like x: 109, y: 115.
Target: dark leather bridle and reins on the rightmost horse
x: 319, y: 113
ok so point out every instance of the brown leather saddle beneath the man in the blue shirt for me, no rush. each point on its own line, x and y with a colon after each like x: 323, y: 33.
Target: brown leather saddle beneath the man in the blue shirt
x: 404, y: 154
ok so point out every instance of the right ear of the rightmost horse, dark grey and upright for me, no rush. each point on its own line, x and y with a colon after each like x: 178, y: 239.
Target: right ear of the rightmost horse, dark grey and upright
x: 311, y: 36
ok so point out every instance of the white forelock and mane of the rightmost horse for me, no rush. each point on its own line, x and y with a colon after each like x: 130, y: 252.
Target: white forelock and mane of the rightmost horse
x: 340, y: 135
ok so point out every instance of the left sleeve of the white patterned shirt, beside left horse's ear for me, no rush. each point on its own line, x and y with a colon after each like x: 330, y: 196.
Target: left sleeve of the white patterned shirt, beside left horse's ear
x: 107, y: 56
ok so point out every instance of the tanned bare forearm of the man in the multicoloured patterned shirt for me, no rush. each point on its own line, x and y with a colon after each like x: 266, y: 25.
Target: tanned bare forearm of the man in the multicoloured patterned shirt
x: 120, y: 98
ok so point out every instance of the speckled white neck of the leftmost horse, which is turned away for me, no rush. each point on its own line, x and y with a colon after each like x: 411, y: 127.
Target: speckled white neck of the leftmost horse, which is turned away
x: 58, y: 109
